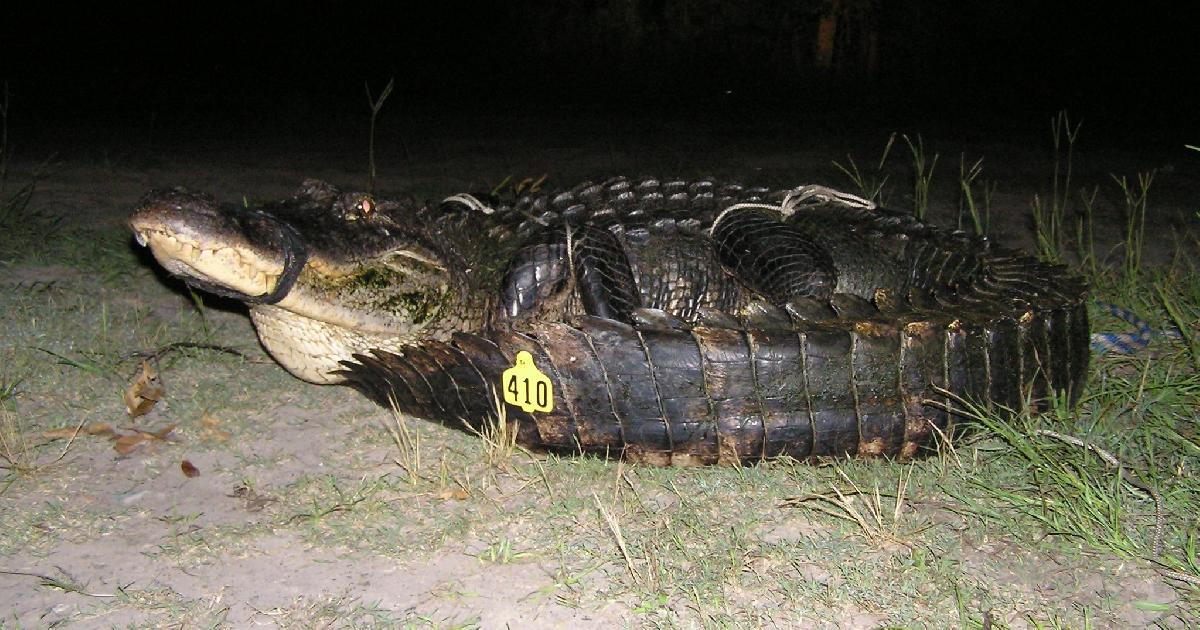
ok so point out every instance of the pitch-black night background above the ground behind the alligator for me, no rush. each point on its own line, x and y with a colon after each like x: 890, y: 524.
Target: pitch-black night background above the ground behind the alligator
x: 1129, y: 69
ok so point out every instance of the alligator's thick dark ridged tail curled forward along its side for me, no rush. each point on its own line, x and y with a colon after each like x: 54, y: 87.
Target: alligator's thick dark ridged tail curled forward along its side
x: 775, y: 385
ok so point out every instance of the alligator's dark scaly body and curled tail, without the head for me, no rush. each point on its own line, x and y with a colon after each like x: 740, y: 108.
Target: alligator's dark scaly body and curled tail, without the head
x: 675, y: 329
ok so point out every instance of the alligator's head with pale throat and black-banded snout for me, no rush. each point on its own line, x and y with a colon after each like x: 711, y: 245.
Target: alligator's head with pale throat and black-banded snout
x: 326, y: 274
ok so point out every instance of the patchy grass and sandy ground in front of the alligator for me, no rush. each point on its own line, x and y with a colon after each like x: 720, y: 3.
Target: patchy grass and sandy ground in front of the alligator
x: 1013, y: 527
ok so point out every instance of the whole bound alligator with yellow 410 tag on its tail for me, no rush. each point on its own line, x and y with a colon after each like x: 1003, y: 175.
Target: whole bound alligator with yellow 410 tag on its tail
x: 663, y: 321
